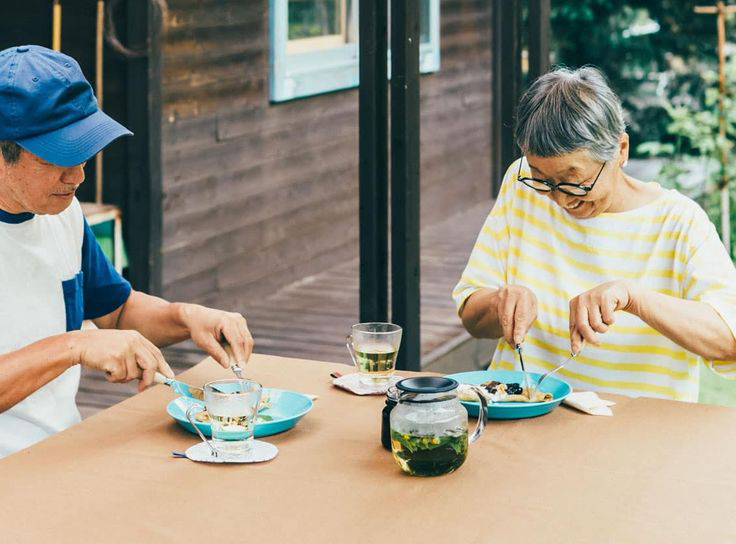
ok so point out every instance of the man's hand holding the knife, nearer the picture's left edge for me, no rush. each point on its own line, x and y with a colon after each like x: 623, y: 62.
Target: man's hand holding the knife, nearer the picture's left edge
x: 122, y: 355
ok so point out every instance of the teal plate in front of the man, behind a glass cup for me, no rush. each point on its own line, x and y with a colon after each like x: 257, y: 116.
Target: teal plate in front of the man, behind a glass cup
x: 287, y: 408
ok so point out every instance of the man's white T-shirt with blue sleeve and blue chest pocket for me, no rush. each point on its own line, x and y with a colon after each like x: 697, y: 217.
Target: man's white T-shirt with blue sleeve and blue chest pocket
x: 53, y: 275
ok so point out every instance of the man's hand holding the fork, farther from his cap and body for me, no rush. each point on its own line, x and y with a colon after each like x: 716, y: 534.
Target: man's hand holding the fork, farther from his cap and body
x: 209, y: 327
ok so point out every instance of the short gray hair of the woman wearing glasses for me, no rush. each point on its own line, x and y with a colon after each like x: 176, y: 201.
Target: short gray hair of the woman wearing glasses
x: 570, y: 110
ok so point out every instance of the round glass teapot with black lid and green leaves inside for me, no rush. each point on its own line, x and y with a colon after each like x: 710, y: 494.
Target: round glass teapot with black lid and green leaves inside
x: 429, y: 426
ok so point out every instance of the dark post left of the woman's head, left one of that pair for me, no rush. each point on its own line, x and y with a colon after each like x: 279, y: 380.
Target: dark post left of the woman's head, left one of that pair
x: 506, y: 82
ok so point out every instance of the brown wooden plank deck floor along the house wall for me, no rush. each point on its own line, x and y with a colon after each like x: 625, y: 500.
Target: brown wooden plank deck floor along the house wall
x: 310, y: 318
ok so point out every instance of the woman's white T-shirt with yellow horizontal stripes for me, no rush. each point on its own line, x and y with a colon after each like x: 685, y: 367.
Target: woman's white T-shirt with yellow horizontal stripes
x: 668, y: 245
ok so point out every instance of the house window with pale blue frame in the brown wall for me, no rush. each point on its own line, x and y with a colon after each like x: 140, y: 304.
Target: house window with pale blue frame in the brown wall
x: 314, y: 45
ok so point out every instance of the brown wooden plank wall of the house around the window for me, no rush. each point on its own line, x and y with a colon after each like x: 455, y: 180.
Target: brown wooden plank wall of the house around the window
x: 256, y: 194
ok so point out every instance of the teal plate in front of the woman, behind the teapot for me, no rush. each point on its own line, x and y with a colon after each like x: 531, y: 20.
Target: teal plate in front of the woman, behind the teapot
x: 513, y: 410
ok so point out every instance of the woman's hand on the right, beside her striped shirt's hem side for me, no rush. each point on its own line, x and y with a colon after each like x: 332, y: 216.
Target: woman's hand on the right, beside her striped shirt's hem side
x: 592, y: 312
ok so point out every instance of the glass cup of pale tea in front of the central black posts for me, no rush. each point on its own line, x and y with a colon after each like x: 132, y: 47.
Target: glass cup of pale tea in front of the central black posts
x: 373, y: 348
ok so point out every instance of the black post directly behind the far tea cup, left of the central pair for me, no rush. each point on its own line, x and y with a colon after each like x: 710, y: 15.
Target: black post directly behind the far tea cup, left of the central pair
x: 373, y: 176
